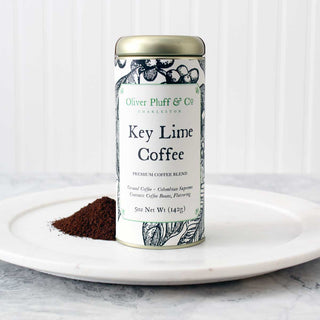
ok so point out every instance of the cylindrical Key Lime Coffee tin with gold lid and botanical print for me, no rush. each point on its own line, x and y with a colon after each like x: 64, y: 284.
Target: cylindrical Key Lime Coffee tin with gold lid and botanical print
x: 160, y: 88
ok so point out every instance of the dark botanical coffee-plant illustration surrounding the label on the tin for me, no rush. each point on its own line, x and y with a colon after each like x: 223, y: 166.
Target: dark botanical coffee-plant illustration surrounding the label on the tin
x: 166, y: 71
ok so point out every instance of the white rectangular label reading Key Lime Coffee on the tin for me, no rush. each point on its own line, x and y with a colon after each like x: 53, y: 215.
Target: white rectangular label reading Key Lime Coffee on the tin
x: 159, y: 152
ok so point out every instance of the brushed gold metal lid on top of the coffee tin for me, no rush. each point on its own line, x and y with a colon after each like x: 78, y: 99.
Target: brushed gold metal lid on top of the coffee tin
x: 160, y: 46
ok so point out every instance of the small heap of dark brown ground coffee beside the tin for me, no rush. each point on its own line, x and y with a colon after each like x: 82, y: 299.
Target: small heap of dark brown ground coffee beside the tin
x: 97, y: 220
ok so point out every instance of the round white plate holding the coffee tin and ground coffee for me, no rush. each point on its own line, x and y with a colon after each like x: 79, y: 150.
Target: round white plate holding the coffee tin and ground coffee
x: 248, y: 232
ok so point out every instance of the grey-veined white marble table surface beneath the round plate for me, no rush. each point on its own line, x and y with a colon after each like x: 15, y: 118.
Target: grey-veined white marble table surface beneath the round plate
x: 293, y: 293
